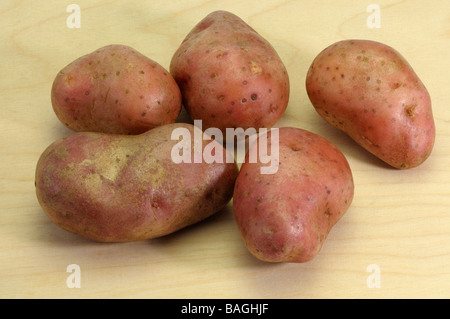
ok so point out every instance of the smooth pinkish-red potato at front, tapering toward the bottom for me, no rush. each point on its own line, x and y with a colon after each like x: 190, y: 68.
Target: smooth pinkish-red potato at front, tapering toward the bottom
x: 286, y: 216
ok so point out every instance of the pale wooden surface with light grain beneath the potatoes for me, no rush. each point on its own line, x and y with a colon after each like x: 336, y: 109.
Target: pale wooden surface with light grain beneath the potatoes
x: 393, y: 242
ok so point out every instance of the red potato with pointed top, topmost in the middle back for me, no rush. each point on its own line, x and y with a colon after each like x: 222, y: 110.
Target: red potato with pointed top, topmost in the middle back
x: 229, y: 75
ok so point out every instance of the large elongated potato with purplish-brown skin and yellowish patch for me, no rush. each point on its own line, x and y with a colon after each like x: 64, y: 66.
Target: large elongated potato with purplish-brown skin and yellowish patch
x: 117, y: 188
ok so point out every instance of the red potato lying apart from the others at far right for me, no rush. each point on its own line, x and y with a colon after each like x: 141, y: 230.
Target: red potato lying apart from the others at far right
x: 368, y: 90
